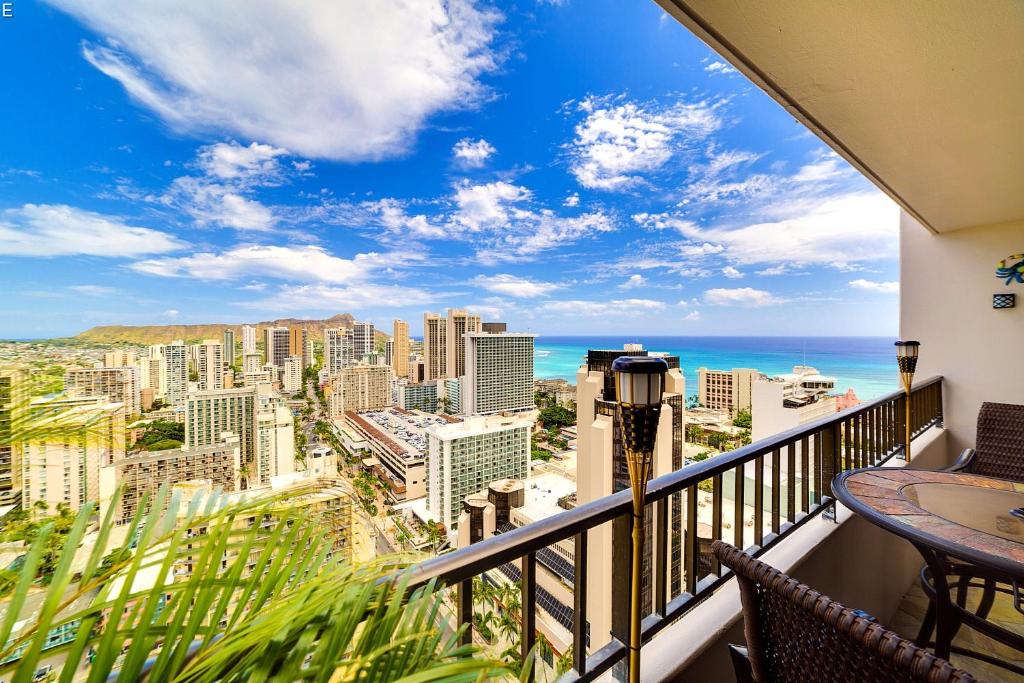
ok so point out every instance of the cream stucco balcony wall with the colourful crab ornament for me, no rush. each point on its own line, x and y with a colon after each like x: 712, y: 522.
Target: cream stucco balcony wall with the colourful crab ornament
x: 947, y: 287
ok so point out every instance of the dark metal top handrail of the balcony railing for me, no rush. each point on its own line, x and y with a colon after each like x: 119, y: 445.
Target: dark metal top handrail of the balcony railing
x: 467, y: 563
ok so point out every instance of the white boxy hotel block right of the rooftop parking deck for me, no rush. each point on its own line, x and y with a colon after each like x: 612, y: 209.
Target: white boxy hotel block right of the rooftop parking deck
x: 465, y: 457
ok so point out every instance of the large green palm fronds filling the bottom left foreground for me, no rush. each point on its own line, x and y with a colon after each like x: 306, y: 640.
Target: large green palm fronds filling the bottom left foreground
x: 300, y: 611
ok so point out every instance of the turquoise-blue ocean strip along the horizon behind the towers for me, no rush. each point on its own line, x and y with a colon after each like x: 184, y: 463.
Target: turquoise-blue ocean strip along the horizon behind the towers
x: 867, y: 364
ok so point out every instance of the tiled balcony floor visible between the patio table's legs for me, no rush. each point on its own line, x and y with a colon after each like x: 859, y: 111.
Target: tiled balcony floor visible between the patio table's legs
x: 908, y: 620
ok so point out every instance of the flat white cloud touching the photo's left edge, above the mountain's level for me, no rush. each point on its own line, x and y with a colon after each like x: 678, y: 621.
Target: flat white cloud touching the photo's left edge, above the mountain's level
x: 58, y: 230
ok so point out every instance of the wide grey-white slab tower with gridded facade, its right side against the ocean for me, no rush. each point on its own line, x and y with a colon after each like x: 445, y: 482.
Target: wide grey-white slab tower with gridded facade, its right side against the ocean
x: 499, y: 373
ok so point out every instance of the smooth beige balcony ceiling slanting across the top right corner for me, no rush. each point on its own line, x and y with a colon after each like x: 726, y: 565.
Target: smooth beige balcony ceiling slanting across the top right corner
x: 926, y: 99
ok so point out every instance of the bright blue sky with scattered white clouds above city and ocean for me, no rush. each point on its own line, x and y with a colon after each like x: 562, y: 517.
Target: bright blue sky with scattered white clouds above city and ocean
x: 570, y: 167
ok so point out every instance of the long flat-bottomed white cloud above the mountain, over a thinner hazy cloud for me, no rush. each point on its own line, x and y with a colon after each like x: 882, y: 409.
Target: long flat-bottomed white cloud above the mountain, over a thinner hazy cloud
x: 309, y: 265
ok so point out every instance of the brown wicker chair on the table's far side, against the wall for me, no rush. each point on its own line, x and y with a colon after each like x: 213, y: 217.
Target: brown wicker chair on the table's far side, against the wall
x: 999, y: 448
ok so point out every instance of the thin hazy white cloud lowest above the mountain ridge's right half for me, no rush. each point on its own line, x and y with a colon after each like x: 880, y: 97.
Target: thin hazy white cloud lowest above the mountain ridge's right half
x: 329, y: 298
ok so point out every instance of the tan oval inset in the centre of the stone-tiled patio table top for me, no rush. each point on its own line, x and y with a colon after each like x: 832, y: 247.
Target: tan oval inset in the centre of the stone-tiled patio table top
x: 992, y: 511
